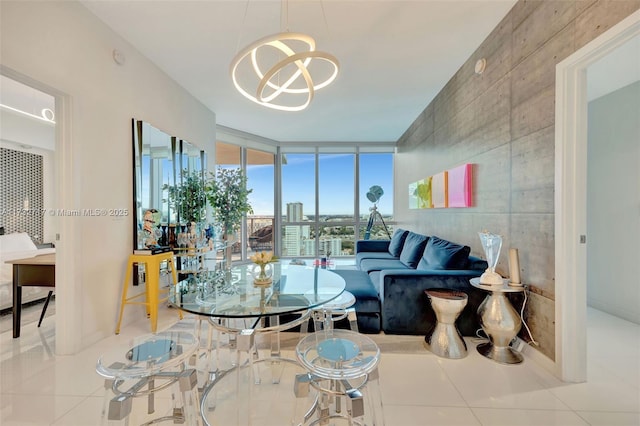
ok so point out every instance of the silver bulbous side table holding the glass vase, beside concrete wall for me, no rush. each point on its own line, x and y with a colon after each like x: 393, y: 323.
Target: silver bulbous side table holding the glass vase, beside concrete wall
x: 500, y: 321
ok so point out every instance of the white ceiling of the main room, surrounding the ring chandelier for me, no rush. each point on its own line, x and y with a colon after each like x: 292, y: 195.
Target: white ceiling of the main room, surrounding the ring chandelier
x: 395, y: 56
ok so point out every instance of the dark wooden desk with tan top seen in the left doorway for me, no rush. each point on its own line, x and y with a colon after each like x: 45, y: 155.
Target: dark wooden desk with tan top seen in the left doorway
x: 37, y: 271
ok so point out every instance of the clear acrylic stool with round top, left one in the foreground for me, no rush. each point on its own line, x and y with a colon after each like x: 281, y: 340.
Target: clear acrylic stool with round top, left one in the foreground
x: 144, y: 367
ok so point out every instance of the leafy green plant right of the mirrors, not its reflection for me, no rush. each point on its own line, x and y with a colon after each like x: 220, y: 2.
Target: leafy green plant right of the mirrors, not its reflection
x: 228, y: 196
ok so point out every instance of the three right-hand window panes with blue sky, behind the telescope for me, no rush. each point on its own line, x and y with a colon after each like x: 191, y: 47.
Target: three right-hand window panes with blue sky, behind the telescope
x: 324, y: 211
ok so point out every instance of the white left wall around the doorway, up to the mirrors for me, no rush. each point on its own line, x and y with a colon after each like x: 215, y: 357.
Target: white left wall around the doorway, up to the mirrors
x: 62, y: 45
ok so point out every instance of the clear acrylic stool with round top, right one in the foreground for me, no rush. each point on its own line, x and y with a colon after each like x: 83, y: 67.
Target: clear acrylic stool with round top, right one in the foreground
x: 342, y: 369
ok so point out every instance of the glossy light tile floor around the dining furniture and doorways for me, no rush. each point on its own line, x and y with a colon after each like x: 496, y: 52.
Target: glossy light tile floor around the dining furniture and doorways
x: 418, y: 388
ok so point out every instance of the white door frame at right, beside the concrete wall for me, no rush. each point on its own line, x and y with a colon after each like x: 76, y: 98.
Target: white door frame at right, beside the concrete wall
x: 571, y: 197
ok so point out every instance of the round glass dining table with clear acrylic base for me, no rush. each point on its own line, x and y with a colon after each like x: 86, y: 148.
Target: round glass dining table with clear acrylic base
x: 236, y: 307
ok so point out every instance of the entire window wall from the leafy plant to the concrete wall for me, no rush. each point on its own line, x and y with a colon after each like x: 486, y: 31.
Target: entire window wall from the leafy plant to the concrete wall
x: 310, y: 200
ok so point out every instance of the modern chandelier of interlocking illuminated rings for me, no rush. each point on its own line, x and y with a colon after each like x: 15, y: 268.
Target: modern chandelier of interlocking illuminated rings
x: 279, y: 71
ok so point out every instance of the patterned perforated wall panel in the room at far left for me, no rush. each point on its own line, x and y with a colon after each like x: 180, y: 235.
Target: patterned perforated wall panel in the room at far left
x: 21, y: 193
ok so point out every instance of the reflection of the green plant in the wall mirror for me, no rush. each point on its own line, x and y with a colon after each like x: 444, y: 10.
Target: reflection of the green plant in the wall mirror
x: 188, y: 198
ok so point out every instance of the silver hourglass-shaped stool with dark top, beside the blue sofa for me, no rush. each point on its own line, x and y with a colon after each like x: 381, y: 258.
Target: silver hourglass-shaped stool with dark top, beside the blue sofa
x: 445, y: 339
